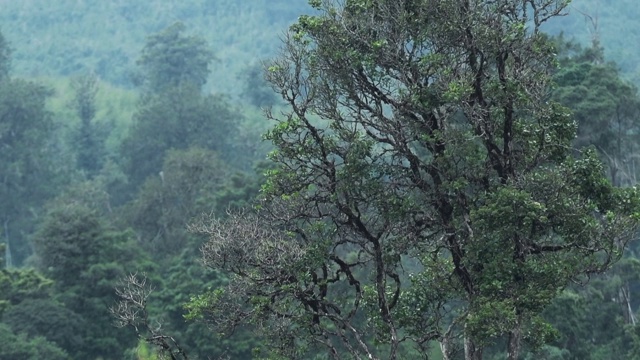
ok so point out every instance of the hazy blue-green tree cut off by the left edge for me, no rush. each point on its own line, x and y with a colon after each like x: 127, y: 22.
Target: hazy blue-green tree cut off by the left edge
x: 25, y: 133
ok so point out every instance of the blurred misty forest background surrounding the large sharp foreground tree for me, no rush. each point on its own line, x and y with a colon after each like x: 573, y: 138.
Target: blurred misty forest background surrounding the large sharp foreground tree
x: 122, y: 121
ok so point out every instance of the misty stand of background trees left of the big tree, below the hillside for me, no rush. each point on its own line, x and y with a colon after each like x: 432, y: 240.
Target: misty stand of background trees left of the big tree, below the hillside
x: 101, y: 183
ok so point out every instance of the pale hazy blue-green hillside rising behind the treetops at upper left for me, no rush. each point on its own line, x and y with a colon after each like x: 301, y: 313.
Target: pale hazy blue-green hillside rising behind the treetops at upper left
x: 65, y: 37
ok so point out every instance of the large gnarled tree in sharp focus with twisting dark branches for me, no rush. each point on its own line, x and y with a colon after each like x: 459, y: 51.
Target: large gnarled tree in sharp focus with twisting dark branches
x: 425, y: 190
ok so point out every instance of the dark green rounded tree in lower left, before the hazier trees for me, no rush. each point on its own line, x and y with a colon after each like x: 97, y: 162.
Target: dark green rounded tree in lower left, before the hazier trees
x: 85, y: 257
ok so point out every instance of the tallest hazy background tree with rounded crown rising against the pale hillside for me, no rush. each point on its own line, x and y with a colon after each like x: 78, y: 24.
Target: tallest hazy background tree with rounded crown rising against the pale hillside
x: 173, y: 113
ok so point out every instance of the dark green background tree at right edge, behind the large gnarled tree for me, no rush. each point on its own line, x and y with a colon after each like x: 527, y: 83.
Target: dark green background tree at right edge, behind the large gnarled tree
x: 605, y: 106
